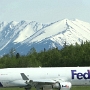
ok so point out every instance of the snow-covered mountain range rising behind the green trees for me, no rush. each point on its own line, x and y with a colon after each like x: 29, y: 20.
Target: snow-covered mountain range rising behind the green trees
x: 24, y: 35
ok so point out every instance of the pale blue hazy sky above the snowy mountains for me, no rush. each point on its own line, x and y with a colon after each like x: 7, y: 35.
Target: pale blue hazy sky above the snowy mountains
x: 44, y: 10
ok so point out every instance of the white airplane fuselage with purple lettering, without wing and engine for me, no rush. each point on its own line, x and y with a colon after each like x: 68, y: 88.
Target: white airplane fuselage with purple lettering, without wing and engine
x: 76, y: 75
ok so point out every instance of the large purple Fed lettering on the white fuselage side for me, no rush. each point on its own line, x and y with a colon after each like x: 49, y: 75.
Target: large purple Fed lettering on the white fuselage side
x: 80, y: 75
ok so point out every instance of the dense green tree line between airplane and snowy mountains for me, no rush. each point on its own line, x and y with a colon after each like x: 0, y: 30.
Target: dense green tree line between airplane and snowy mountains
x: 68, y: 56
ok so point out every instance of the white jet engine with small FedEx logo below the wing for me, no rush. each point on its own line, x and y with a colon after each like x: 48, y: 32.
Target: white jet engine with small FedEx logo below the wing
x: 62, y: 85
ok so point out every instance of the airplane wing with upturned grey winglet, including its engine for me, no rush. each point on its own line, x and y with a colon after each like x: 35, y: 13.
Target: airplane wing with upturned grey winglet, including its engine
x: 56, y: 83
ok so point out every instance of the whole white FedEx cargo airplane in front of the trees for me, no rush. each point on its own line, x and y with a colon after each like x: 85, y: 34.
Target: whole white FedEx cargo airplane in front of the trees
x: 61, y: 78
